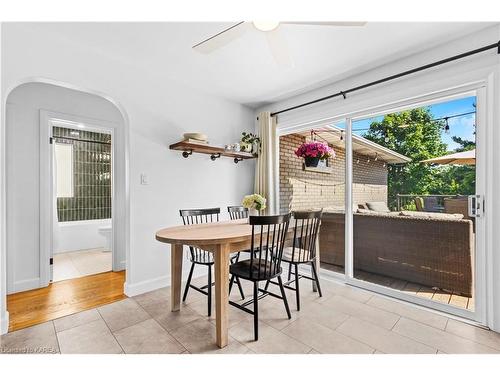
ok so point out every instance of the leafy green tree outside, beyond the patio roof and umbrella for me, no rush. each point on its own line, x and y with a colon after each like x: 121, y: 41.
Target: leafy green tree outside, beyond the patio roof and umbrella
x: 415, y: 134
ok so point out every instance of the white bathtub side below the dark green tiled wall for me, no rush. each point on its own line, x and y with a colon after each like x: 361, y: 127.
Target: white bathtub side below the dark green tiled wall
x: 80, y: 235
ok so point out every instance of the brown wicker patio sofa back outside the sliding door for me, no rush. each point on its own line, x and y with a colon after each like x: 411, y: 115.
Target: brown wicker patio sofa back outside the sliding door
x: 434, y: 252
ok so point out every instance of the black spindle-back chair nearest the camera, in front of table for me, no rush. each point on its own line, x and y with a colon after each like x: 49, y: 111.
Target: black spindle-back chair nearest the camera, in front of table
x: 268, y: 240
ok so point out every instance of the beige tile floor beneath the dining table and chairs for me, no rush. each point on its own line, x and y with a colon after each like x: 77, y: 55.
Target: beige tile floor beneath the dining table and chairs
x: 344, y: 320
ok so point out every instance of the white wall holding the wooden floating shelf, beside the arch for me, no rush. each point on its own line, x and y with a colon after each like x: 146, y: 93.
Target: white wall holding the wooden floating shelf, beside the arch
x: 158, y: 115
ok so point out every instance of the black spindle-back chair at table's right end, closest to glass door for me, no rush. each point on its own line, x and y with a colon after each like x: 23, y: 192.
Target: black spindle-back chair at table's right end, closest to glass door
x: 303, y: 250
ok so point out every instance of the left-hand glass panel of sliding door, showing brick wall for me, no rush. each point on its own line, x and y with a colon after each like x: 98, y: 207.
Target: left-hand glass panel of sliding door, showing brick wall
x: 306, y: 186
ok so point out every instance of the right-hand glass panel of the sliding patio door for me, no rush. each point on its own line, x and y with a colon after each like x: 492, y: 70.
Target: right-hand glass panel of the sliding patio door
x: 416, y: 227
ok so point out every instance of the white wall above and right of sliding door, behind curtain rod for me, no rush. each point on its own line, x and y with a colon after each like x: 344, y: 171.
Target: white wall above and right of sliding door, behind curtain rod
x: 484, y: 67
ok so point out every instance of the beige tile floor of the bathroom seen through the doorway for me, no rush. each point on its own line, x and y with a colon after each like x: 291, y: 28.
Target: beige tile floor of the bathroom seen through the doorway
x: 80, y: 263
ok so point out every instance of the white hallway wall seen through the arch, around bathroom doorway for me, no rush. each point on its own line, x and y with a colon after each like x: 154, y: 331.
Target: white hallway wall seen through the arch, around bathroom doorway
x: 23, y: 171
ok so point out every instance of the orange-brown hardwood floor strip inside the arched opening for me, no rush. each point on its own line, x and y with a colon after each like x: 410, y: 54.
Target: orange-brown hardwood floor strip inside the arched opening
x: 64, y: 298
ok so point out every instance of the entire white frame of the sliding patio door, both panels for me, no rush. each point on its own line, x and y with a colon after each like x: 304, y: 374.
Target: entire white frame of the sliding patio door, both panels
x: 482, y: 293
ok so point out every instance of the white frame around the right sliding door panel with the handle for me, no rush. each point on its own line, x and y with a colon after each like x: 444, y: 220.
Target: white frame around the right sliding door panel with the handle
x: 479, y: 314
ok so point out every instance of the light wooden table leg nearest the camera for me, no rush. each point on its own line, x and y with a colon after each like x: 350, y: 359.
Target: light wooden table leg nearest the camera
x: 221, y: 259
